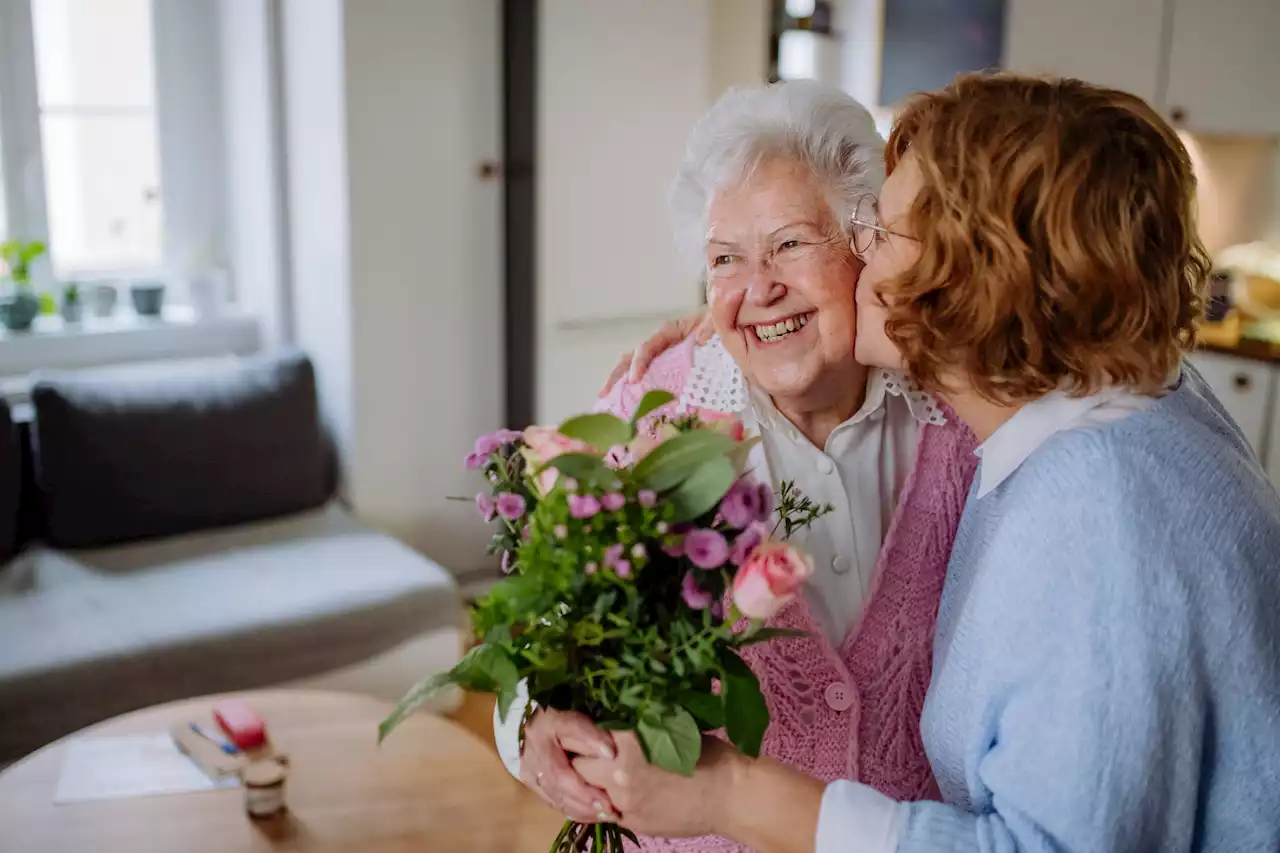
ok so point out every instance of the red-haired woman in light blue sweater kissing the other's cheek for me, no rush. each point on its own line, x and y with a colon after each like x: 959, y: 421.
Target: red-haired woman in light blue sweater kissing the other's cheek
x: 1109, y: 638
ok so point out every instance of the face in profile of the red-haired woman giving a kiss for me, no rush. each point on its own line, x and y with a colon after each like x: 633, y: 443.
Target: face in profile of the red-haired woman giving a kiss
x: 889, y: 256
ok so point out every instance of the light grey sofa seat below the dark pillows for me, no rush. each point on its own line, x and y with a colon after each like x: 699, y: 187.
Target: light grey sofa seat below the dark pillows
x: 93, y: 635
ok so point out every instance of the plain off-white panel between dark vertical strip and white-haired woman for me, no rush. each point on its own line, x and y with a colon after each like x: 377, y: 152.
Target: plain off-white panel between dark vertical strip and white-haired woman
x: 620, y: 88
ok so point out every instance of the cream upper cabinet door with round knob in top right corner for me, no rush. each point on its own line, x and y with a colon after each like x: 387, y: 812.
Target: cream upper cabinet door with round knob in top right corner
x: 1224, y: 65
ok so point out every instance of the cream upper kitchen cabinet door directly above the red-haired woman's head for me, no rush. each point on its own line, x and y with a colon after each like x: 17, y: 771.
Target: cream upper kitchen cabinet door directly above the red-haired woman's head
x: 1109, y: 43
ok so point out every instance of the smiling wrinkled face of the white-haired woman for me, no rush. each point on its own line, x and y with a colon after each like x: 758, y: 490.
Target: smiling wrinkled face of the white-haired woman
x: 781, y: 279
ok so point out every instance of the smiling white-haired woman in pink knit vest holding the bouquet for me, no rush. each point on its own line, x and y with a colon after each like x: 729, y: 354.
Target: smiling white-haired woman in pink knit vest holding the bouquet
x: 764, y: 203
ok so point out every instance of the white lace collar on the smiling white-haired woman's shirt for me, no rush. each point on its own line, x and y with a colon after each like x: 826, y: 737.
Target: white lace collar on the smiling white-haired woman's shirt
x: 717, y: 384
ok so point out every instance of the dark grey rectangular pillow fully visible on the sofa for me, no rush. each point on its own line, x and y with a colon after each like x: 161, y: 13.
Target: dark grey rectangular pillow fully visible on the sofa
x: 163, y: 450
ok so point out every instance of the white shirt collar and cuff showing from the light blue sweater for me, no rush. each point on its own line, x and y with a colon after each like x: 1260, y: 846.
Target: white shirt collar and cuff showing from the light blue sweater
x: 856, y: 818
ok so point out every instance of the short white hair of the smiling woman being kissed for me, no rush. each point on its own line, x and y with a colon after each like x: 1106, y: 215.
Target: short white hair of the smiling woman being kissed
x: 819, y: 126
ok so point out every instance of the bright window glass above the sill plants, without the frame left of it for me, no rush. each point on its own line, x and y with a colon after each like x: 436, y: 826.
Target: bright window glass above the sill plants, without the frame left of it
x: 95, y: 76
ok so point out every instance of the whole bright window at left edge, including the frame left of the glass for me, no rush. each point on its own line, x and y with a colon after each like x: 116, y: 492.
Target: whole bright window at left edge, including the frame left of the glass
x: 79, y: 134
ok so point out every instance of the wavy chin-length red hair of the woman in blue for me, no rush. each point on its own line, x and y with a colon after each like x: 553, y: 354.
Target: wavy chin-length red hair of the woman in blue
x: 1059, y: 247
